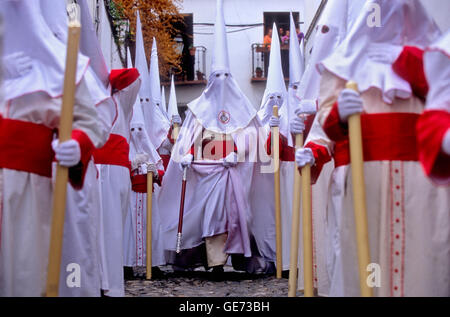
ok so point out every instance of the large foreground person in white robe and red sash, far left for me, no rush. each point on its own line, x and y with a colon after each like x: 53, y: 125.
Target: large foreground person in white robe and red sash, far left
x: 30, y: 116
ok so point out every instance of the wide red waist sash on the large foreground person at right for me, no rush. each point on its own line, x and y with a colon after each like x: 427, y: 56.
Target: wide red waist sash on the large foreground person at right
x: 385, y: 136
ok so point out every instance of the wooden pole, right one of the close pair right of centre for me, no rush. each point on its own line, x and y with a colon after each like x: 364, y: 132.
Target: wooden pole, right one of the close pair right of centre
x: 307, y: 232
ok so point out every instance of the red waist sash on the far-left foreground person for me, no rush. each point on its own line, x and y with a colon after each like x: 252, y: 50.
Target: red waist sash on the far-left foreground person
x: 26, y: 146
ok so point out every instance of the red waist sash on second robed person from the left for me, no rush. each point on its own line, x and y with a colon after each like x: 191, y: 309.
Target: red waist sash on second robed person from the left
x: 115, y: 152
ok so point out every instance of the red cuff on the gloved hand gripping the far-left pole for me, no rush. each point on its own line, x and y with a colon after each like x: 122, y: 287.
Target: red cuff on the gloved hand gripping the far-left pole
x: 77, y: 172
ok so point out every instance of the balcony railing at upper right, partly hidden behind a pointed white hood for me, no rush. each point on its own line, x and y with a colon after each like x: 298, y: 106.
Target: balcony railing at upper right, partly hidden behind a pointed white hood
x: 260, y: 61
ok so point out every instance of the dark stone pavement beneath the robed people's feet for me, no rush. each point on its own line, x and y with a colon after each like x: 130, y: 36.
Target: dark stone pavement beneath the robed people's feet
x: 198, y: 283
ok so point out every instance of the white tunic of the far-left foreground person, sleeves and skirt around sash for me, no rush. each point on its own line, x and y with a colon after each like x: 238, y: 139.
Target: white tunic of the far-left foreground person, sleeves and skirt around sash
x: 26, y: 206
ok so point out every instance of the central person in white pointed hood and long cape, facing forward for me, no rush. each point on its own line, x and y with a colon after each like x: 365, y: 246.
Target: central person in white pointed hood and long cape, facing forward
x: 217, y: 136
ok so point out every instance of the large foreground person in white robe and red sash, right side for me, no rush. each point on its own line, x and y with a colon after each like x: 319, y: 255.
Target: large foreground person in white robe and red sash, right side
x: 399, y: 197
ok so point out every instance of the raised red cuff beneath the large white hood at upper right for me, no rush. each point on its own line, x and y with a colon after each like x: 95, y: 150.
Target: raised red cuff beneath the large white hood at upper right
x: 409, y: 66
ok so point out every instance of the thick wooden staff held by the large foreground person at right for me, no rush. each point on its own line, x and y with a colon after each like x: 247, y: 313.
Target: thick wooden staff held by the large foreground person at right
x: 359, y: 196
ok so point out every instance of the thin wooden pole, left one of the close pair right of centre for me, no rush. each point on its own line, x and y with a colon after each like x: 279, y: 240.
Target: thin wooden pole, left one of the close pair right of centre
x: 295, y: 228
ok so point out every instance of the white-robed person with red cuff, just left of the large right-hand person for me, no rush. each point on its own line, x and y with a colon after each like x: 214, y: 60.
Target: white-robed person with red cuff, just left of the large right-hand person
x: 336, y: 20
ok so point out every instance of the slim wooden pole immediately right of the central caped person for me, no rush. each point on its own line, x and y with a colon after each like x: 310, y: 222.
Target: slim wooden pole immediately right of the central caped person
x: 276, y: 160
